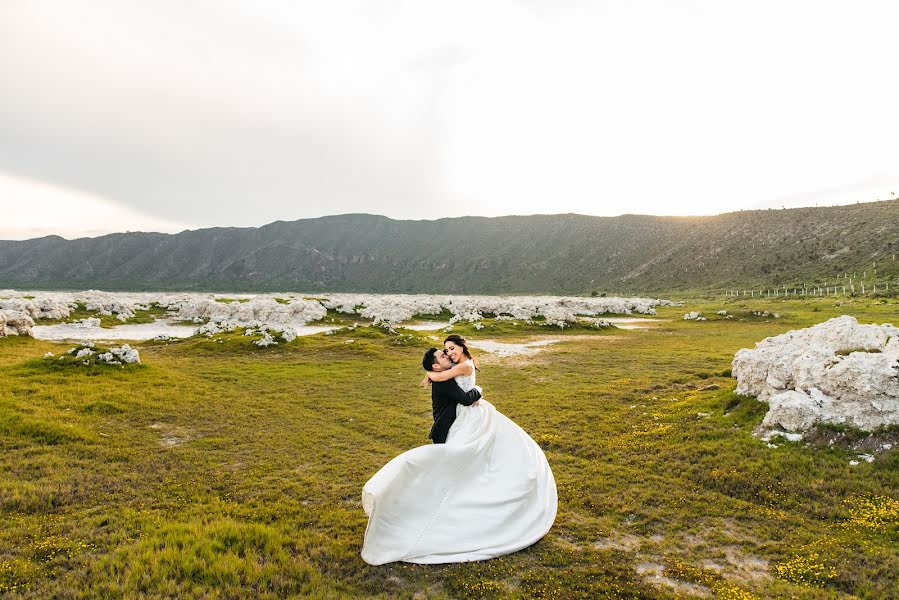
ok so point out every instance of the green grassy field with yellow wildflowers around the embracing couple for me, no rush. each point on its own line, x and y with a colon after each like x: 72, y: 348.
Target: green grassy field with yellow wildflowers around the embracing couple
x: 218, y: 469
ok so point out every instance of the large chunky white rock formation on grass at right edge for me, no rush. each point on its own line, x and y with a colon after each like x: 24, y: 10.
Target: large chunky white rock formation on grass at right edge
x: 835, y: 372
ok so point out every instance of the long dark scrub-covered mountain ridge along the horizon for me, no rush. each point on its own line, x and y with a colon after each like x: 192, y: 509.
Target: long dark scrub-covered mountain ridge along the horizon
x: 570, y: 254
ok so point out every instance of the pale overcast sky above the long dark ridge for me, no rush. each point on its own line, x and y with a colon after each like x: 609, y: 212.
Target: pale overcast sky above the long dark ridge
x: 165, y: 115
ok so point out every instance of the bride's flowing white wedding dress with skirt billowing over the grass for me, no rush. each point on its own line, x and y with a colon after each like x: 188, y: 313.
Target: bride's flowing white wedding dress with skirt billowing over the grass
x: 486, y: 492
